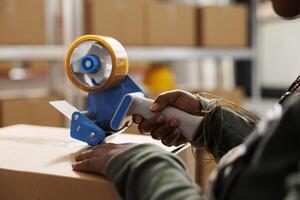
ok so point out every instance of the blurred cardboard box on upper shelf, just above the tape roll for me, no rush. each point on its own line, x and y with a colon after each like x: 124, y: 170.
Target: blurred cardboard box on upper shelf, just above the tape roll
x: 121, y: 19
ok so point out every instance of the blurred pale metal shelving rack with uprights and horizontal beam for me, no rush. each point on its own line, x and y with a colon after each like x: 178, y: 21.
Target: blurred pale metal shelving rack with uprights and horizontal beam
x: 73, y: 23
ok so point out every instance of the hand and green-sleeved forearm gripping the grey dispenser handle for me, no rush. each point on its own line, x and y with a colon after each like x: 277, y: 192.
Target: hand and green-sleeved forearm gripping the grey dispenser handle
x: 225, y: 125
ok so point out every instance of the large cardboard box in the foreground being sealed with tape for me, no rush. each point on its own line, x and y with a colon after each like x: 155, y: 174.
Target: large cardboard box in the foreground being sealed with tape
x: 36, y: 164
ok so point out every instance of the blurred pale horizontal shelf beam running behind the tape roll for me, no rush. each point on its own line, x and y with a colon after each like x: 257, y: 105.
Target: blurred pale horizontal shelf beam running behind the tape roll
x: 57, y: 53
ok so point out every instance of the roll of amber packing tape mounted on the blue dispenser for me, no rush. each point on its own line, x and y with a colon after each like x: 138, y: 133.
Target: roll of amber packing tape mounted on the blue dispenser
x: 119, y: 62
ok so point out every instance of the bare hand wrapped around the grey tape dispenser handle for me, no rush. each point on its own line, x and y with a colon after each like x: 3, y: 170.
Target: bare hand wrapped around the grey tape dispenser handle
x: 164, y: 129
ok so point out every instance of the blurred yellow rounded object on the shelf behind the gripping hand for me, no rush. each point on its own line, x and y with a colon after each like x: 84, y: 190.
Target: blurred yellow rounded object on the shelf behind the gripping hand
x: 159, y: 78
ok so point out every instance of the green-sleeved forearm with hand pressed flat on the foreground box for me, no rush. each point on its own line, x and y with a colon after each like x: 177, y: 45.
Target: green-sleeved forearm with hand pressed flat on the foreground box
x: 139, y: 171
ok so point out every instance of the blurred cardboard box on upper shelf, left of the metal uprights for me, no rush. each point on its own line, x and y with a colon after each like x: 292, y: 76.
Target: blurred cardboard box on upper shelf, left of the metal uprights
x: 22, y: 22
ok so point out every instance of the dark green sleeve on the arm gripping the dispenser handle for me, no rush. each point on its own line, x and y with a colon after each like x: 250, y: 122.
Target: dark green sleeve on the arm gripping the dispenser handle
x: 224, y: 127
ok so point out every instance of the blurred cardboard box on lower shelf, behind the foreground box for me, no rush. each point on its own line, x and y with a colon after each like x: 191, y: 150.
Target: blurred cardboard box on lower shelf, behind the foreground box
x: 27, y: 110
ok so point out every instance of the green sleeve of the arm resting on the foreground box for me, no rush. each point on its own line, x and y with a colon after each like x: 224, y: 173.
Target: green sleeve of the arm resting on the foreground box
x: 148, y: 172
